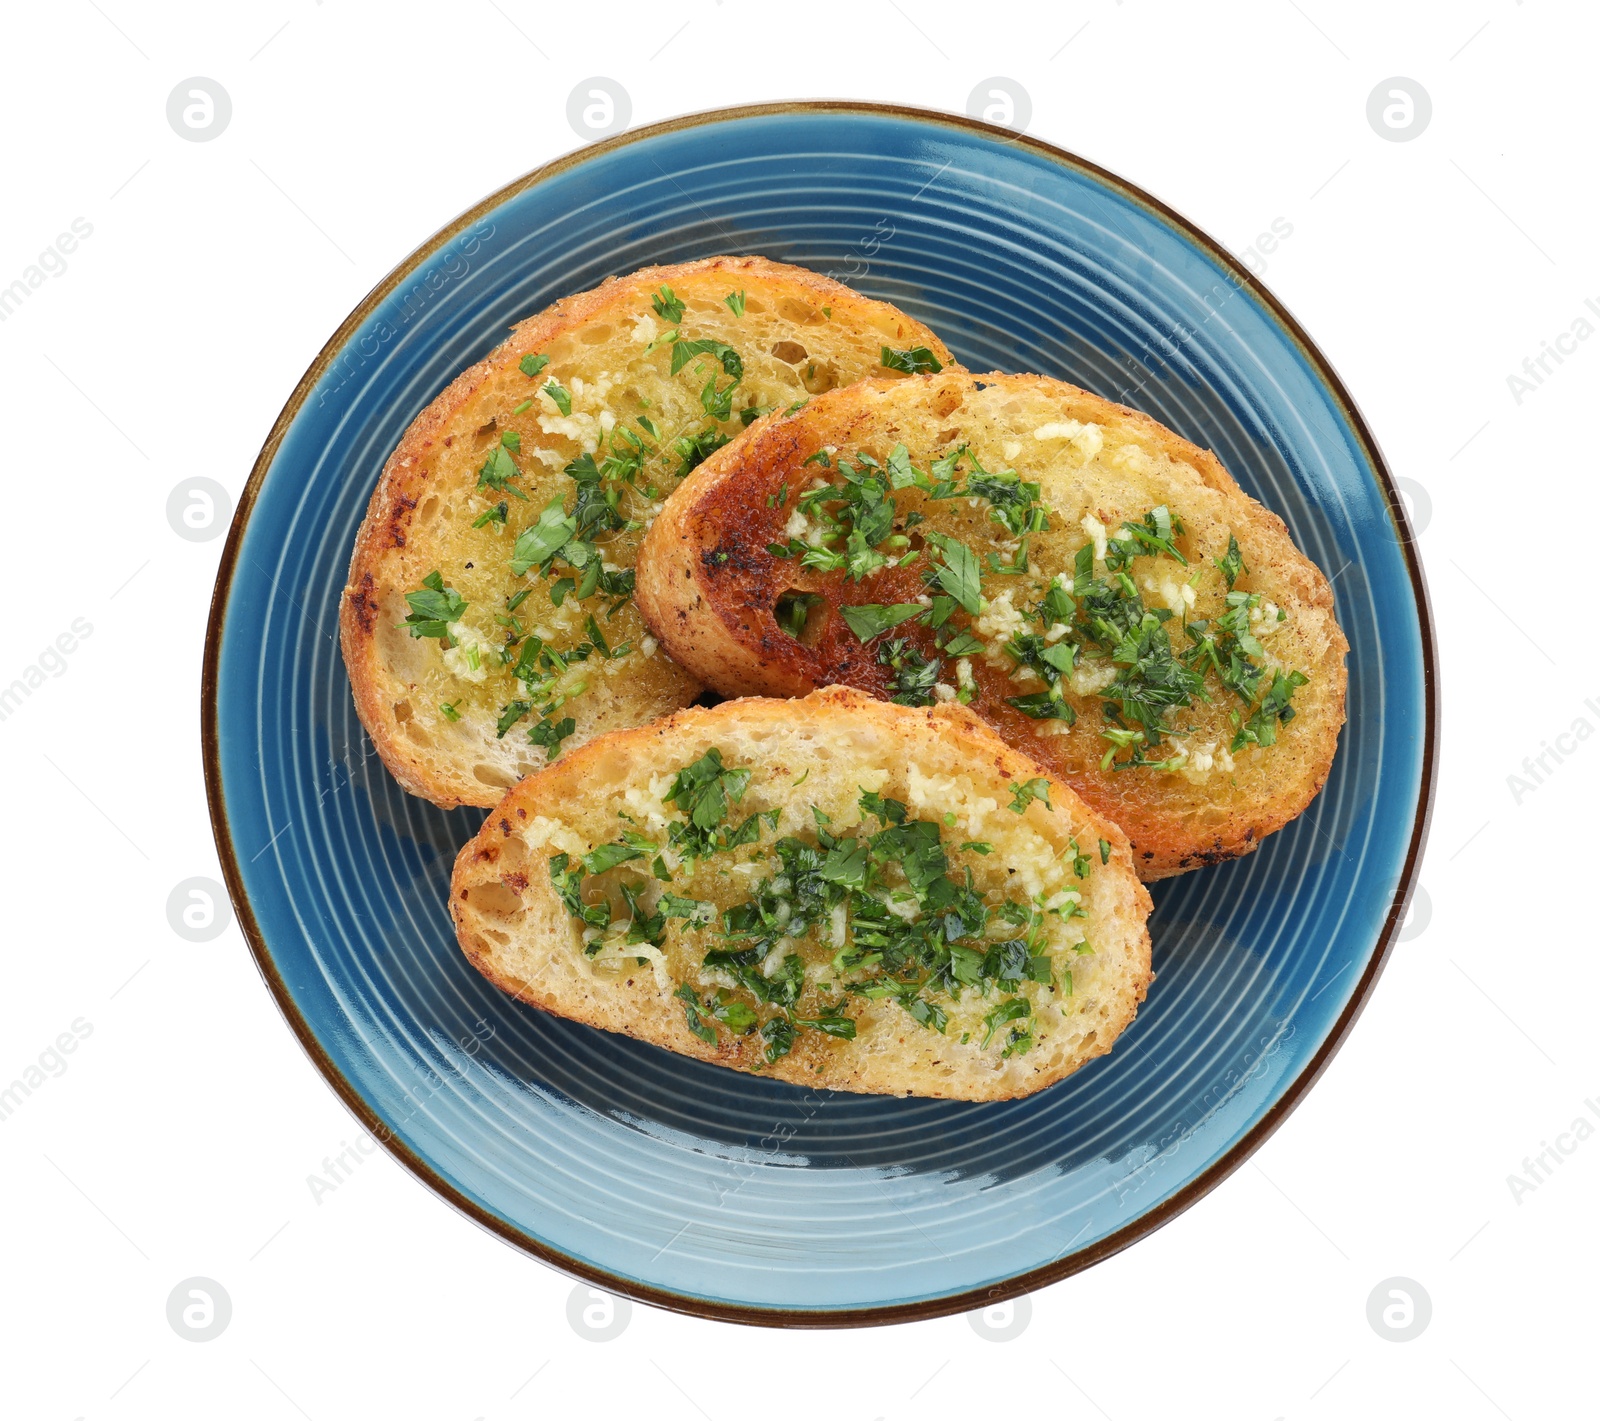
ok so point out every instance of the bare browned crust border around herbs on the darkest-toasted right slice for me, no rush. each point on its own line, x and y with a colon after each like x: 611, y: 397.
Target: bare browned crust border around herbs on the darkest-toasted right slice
x: 708, y: 588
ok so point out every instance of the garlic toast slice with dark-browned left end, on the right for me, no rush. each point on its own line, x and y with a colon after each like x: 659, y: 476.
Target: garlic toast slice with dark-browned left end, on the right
x: 1191, y: 731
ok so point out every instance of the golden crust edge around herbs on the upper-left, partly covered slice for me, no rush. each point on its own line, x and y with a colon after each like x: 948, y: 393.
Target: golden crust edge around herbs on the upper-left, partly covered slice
x: 463, y: 763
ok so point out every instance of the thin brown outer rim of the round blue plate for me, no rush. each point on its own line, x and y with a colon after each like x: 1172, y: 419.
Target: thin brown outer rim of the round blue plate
x: 892, y: 1313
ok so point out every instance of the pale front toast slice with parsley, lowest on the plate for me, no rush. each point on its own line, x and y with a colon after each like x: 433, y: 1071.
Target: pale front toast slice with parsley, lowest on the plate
x: 834, y: 892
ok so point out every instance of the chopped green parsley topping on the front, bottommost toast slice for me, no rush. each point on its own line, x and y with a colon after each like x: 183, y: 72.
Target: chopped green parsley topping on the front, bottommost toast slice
x: 902, y: 924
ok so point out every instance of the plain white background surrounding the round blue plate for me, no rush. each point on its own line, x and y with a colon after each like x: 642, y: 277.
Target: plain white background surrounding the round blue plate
x: 182, y: 1134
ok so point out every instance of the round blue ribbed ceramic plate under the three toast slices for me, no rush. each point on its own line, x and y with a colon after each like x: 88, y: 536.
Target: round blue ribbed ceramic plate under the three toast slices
x: 681, y: 1183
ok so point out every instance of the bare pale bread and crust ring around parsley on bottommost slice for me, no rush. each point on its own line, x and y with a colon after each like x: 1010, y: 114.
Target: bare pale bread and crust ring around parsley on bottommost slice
x: 516, y: 931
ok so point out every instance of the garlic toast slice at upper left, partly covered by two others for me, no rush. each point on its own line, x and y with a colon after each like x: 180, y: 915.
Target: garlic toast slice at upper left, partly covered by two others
x: 554, y: 455
